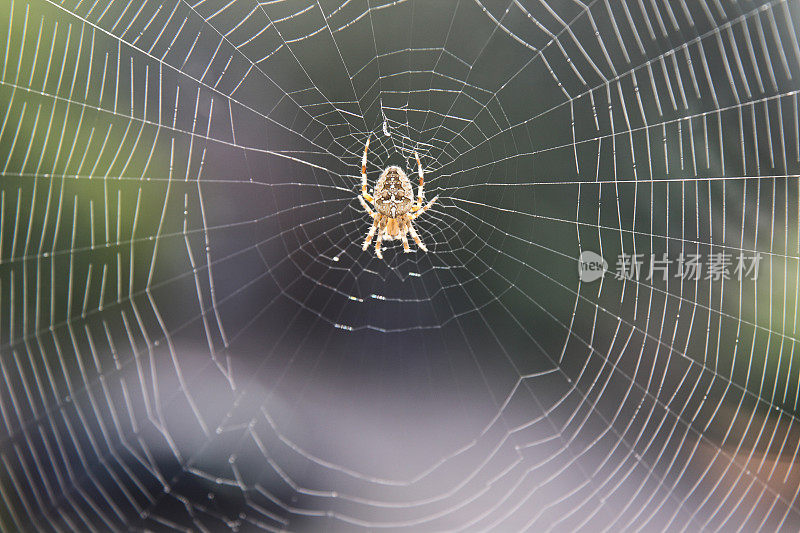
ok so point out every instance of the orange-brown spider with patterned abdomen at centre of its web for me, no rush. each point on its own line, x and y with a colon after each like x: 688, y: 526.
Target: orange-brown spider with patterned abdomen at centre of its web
x: 395, y: 206
